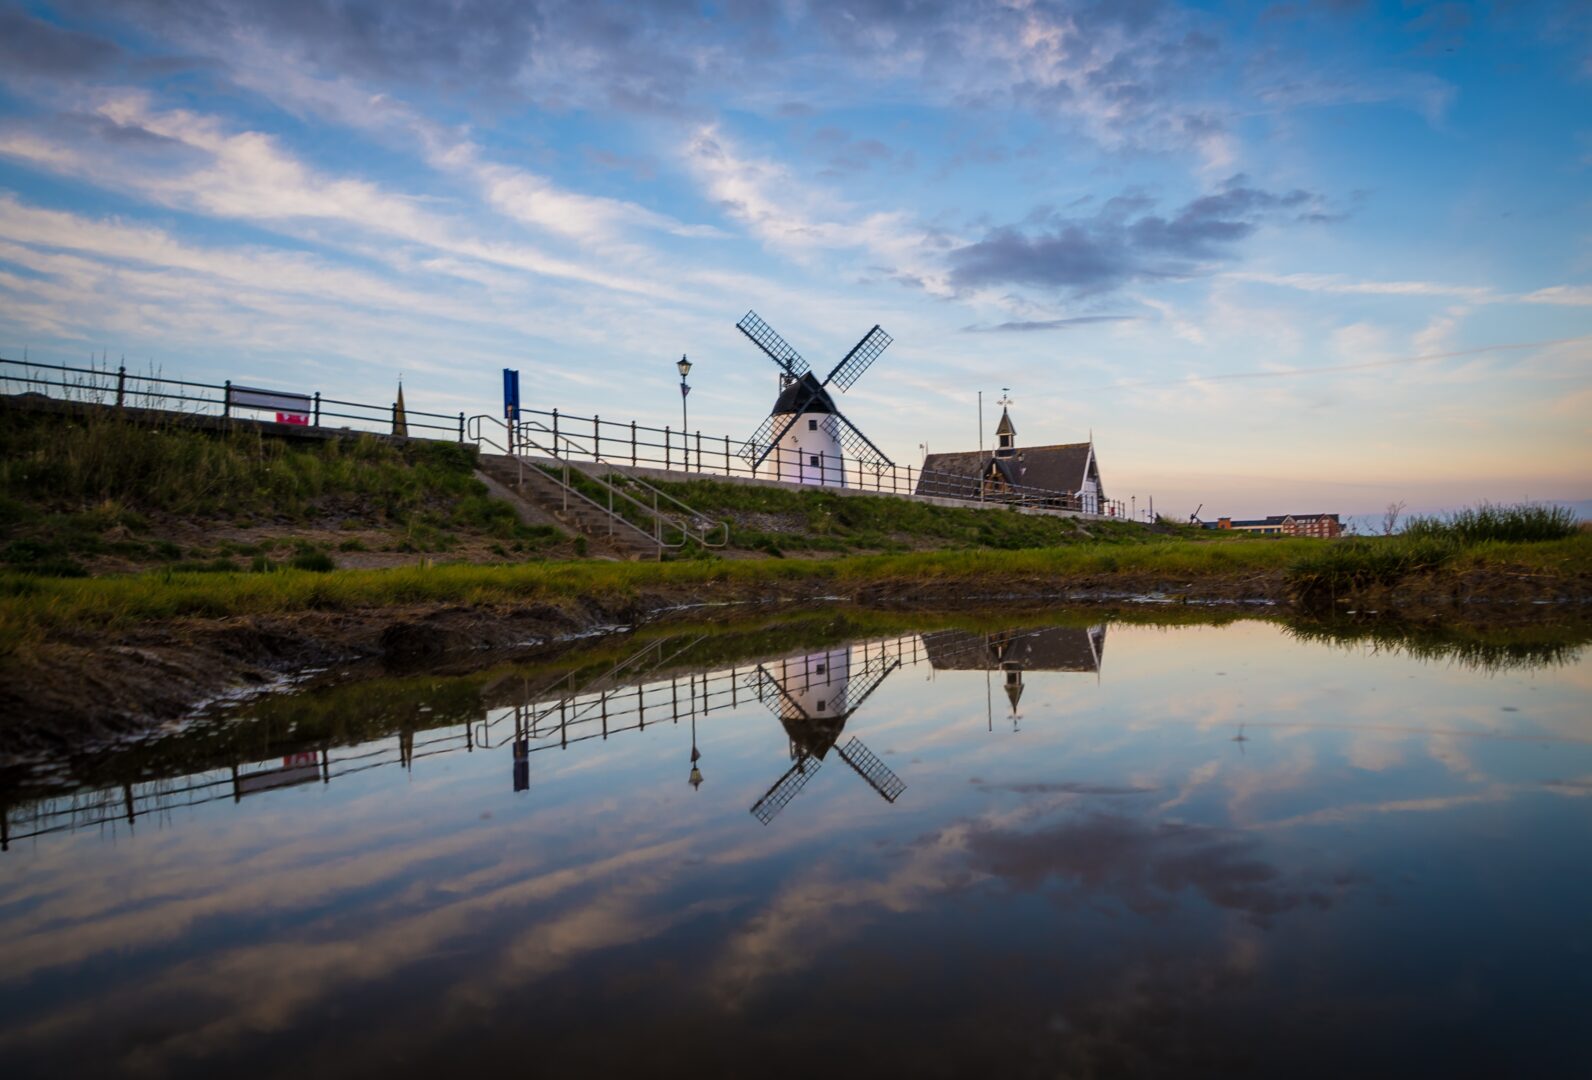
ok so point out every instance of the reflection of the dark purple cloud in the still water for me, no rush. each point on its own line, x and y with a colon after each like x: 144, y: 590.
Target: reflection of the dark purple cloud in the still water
x: 1147, y: 867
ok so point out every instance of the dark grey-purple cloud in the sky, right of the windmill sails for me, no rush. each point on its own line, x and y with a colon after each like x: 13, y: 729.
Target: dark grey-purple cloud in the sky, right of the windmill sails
x: 1125, y: 241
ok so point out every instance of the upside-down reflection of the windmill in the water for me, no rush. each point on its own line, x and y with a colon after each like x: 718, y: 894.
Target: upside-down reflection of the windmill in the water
x: 814, y: 697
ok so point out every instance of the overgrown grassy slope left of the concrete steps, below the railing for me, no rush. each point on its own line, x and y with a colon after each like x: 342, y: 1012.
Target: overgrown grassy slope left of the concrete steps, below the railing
x: 99, y: 495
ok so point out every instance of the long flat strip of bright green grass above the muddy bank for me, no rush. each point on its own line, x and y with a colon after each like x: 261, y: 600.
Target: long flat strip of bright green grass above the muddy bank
x: 33, y: 606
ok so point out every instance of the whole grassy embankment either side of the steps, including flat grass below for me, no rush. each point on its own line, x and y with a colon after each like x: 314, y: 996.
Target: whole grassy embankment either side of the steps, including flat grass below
x: 104, y: 491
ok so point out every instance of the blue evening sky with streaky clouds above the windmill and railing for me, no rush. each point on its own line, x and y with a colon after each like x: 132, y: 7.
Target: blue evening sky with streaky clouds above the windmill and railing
x: 1290, y: 257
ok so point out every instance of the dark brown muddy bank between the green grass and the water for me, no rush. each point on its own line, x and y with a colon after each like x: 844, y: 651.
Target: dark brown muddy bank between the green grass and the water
x: 99, y: 684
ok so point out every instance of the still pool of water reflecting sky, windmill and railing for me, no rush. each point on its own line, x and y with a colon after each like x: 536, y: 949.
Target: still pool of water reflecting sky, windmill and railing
x: 970, y: 850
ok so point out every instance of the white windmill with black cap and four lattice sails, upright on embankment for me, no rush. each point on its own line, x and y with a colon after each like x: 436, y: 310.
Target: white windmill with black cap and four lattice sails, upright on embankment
x: 806, y: 434
